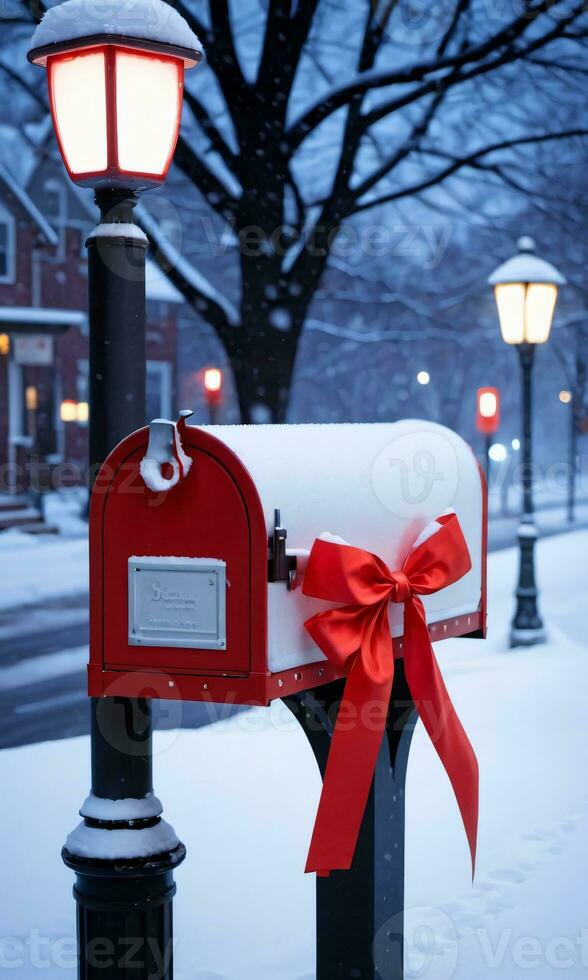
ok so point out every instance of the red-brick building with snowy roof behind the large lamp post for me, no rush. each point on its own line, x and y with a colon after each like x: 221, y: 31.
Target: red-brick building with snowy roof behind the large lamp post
x: 44, y: 328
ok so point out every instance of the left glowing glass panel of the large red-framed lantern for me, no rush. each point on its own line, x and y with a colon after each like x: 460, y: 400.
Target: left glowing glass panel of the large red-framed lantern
x: 77, y: 86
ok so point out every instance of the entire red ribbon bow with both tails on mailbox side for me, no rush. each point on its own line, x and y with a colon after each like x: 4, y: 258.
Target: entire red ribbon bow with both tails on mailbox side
x: 356, y: 638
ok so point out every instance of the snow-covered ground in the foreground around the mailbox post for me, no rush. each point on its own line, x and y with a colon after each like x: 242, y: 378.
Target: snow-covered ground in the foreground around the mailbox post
x: 242, y: 795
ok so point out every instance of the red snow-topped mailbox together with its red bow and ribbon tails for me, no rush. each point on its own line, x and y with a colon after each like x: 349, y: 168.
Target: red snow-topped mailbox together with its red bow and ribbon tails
x: 240, y: 564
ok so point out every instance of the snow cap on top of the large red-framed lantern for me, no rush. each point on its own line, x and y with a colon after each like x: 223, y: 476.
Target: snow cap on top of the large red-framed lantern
x: 149, y: 19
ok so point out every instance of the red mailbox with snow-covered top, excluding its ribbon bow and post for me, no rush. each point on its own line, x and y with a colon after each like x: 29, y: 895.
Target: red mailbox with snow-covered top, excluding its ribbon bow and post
x: 200, y: 537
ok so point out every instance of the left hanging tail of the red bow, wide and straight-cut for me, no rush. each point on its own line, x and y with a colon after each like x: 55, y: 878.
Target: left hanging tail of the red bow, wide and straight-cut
x: 360, y: 725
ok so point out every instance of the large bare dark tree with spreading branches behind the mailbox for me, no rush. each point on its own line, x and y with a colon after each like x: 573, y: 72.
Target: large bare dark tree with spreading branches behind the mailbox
x: 311, y: 114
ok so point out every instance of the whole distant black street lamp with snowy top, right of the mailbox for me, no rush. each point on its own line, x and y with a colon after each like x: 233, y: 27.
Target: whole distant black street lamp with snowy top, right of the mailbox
x: 525, y: 288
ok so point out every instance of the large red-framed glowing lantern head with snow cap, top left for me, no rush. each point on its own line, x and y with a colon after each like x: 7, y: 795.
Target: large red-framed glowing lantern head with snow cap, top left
x: 116, y: 99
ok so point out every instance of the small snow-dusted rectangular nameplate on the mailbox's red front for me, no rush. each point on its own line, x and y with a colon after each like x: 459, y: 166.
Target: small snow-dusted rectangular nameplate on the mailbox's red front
x: 177, y: 602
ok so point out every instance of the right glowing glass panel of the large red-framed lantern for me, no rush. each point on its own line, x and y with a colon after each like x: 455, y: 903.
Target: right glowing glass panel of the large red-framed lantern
x: 149, y: 103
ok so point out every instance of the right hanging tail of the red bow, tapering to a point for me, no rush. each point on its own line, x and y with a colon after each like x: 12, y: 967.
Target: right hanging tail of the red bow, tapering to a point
x: 440, y: 719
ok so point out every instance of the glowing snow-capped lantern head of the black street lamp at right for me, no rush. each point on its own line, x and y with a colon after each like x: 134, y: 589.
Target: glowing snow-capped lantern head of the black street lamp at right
x: 525, y: 288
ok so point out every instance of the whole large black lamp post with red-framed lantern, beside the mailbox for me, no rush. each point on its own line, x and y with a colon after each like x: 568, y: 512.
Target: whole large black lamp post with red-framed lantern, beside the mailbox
x: 116, y: 102
